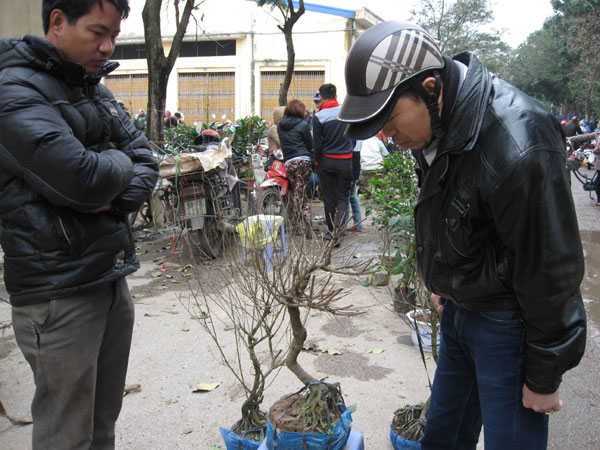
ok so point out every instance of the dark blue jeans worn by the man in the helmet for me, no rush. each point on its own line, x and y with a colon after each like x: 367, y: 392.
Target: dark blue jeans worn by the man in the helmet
x: 479, y: 380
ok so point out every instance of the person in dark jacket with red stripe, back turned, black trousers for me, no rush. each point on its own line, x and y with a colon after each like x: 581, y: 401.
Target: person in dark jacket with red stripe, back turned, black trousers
x: 333, y: 158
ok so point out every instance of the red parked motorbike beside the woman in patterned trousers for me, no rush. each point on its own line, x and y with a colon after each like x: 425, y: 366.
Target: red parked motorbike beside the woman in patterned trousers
x: 272, y: 192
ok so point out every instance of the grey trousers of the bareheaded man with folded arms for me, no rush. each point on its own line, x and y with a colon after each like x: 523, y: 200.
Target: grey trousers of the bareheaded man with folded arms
x: 78, y: 349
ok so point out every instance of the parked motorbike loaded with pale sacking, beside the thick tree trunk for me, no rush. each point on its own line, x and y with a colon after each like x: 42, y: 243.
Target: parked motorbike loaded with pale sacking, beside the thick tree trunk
x: 208, y: 192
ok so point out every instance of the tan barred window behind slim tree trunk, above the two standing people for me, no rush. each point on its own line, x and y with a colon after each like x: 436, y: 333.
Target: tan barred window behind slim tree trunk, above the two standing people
x: 303, y: 87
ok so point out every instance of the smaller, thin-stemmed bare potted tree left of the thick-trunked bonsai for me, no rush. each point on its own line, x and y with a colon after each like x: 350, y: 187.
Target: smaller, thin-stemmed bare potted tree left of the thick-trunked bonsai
x: 238, y: 305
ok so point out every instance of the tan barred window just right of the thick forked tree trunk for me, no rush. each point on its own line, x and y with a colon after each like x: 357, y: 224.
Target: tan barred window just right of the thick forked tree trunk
x: 207, y: 96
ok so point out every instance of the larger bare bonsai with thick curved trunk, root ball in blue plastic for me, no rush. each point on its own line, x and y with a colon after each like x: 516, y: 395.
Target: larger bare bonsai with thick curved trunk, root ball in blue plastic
x: 315, y: 415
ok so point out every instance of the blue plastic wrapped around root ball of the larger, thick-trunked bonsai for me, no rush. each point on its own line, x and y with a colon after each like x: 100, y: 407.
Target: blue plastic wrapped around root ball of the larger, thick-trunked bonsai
x: 288, y: 440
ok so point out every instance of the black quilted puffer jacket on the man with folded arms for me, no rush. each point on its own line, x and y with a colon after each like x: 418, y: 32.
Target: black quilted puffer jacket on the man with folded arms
x: 66, y: 148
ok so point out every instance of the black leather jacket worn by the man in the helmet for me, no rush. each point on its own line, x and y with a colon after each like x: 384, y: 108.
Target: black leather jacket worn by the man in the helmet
x: 496, y: 225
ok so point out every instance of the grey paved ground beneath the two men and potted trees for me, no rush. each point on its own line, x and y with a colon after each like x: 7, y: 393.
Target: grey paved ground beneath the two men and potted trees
x: 171, y: 355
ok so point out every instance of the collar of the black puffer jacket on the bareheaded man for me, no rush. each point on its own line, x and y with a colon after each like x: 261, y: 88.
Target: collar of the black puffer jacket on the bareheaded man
x: 42, y: 54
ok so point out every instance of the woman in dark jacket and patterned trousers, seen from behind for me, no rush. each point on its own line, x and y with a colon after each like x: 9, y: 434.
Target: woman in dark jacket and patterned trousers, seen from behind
x: 296, y: 144
